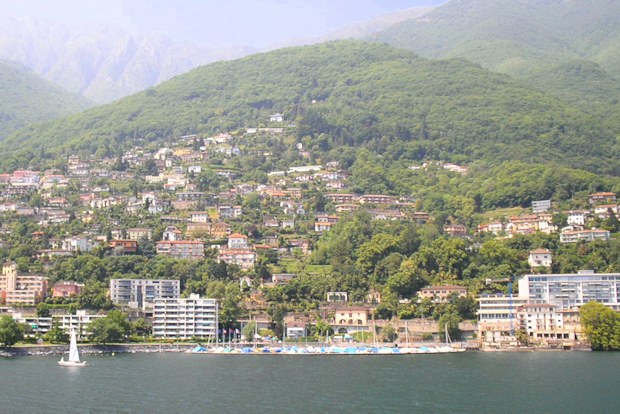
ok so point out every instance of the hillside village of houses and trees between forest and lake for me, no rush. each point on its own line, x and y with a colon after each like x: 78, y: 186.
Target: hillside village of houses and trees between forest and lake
x: 161, y: 224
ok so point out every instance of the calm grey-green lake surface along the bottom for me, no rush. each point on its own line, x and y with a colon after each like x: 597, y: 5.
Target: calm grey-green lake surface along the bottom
x: 470, y: 382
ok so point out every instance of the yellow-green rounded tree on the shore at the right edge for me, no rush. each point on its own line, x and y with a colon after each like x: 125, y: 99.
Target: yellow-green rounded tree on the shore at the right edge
x: 601, y: 326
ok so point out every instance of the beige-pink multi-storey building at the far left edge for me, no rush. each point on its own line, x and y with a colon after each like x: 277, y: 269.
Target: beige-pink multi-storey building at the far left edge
x: 21, y: 289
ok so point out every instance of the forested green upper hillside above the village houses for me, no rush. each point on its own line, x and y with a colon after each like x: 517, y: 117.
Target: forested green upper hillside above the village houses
x: 345, y: 94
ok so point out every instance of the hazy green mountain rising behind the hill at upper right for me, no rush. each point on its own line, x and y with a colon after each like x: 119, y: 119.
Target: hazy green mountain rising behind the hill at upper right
x: 566, y: 47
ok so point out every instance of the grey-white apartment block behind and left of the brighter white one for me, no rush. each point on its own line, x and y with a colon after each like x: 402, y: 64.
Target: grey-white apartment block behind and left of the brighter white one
x: 138, y: 293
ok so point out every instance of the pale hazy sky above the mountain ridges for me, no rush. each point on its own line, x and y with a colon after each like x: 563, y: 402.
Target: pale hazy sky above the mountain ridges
x: 214, y: 22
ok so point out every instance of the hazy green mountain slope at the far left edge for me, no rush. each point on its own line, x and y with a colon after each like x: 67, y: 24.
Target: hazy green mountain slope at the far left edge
x: 25, y: 98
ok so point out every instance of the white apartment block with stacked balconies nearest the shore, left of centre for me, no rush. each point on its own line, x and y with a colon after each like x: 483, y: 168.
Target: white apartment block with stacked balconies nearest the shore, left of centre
x: 185, y: 318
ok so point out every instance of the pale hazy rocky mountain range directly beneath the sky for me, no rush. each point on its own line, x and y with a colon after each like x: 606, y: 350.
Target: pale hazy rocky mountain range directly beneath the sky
x: 101, y: 63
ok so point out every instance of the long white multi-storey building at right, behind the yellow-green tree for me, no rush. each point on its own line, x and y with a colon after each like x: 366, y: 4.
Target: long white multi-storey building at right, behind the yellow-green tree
x: 572, y: 289
